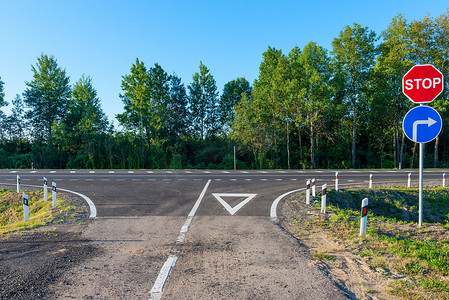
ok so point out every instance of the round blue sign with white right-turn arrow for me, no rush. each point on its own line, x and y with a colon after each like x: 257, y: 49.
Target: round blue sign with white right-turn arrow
x: 422, y: 124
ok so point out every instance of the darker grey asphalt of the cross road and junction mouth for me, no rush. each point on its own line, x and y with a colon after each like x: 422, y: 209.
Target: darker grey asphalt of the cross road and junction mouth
x: 173, y: 193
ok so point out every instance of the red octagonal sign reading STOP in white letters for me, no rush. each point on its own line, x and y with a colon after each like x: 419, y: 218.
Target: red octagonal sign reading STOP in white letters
x: 422, y: 83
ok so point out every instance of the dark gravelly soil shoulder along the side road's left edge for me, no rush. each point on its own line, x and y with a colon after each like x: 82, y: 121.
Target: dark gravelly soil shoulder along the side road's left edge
x: 32, y: 260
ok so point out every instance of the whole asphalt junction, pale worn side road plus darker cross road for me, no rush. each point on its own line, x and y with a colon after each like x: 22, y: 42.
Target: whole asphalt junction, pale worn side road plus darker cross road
x: 196, y: 234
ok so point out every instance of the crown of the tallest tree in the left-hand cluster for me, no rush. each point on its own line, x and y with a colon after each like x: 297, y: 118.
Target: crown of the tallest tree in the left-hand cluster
x: 47, y: 95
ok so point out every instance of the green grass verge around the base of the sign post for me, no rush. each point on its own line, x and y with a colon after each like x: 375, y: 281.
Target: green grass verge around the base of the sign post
x: 393, y: 240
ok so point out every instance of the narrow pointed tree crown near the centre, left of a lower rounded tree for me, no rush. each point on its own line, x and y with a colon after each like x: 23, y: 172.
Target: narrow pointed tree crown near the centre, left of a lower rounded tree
x: 203, y: 104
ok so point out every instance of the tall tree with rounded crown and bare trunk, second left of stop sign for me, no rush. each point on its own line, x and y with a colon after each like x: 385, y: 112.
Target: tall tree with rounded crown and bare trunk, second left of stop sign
x: 354, y: 52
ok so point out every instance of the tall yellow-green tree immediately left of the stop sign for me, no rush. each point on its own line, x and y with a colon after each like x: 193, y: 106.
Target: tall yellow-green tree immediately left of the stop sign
x: 388, y: 104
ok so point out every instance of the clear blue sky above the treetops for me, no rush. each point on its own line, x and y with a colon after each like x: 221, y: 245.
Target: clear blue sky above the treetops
x: 102, y: 39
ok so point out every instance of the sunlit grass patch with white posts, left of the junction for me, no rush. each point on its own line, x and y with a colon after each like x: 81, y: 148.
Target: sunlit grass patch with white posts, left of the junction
x: 40, y: 213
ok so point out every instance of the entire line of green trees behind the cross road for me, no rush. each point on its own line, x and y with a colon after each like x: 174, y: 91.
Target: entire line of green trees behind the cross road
x: 308, y: 108
